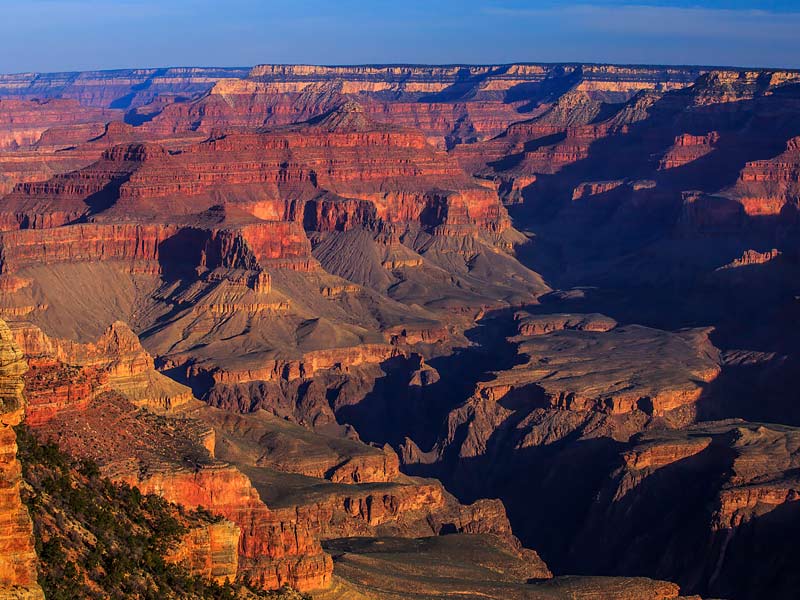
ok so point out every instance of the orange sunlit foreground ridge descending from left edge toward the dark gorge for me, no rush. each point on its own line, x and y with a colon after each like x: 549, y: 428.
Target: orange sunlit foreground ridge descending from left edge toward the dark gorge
x: 281, y: 488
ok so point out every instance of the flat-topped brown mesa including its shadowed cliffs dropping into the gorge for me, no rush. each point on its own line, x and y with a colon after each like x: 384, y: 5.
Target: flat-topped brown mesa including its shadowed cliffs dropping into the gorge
x: 581, y: 387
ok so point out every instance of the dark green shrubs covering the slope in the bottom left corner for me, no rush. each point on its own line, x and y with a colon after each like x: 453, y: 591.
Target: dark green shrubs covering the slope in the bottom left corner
x: 98, y: 540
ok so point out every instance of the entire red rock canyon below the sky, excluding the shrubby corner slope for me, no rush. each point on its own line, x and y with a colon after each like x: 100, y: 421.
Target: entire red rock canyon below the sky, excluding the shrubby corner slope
x: 509, y: 331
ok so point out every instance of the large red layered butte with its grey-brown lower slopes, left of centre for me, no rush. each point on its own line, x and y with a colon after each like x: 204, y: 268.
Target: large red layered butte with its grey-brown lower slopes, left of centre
x: 208, y: 250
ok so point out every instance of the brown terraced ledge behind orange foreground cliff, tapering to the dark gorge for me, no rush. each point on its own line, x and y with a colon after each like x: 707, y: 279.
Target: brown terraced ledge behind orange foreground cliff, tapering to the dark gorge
x: 388, y: 504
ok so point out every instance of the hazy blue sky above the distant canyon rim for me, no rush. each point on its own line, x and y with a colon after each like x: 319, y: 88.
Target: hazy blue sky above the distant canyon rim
x: 58, y: 35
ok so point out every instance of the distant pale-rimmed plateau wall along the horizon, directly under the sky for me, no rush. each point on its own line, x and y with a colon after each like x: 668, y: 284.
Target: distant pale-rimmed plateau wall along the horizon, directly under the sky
x: 452, y: 105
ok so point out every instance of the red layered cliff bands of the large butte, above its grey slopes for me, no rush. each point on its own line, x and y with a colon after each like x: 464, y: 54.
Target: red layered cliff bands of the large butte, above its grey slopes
x: 241, y: 201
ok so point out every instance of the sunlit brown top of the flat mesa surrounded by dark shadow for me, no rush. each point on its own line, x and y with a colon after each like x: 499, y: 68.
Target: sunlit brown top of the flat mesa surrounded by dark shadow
x: 616, y: 371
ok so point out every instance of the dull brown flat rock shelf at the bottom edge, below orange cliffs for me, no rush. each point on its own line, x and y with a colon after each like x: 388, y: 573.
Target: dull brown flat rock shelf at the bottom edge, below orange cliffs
x: 457, y: 565
